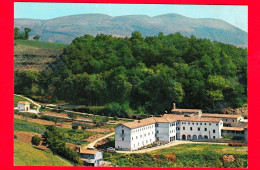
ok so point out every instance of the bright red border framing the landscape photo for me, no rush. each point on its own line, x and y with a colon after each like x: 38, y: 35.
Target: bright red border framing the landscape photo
x: 7, y: 77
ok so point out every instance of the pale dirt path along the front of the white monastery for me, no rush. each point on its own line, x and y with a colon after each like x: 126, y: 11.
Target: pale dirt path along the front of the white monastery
x: 177, y: 142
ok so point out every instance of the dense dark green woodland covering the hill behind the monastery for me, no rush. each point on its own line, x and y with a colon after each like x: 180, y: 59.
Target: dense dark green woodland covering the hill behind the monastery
x: 143, y: 75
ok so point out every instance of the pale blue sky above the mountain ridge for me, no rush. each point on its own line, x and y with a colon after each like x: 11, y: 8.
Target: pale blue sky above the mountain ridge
x: 236, y: 15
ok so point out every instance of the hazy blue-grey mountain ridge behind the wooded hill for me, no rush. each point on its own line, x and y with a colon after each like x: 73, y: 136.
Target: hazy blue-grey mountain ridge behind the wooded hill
x: 65, y: 29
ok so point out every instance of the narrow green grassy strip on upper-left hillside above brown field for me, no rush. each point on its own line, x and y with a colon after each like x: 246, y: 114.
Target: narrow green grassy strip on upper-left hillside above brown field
x: 40, y: 44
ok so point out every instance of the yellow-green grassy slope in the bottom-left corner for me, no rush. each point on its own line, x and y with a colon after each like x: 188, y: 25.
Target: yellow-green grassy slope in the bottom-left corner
x: 25, y: 154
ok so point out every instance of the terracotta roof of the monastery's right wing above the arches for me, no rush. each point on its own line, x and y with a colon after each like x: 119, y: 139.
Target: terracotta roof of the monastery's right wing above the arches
x: 191, y: 118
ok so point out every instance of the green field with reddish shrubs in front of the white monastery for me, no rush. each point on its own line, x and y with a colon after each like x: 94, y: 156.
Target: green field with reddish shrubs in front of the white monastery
x: 188, y: 155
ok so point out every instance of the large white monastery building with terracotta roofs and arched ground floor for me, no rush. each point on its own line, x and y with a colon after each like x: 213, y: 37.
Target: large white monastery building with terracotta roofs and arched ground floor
x: 189, y: 125
